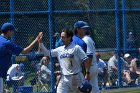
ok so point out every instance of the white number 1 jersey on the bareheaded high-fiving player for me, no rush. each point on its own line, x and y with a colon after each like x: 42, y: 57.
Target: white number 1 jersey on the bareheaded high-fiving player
x: 70, y: 57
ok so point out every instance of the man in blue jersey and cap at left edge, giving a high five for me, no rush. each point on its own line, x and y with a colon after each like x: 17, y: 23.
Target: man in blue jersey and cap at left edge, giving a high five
x: 7, y: 48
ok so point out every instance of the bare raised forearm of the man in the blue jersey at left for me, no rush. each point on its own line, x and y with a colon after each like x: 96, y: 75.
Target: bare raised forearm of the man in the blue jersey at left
x: 28, y: 48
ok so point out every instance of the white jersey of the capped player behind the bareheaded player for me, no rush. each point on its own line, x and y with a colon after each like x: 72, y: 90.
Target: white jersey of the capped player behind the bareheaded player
x: 90, y: 47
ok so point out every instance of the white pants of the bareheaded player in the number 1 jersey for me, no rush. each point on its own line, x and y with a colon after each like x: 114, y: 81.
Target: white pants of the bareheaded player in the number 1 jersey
x: 69, y: 84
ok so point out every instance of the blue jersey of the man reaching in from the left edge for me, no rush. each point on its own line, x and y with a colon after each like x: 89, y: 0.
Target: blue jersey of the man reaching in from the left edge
x: 7, y: 49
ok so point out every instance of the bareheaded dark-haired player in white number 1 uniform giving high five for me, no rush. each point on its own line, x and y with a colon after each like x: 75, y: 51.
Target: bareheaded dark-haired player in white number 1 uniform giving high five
x: 70, y: 57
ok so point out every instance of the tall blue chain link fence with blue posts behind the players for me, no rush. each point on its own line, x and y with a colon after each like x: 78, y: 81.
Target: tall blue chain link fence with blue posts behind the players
x: 110, y: 21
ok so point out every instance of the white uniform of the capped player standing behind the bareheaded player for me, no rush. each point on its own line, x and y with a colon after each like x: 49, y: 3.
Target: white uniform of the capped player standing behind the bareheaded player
x: 94, y: 68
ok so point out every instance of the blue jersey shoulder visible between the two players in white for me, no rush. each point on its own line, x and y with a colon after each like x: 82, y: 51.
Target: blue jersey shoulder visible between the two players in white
x: 77, y: 40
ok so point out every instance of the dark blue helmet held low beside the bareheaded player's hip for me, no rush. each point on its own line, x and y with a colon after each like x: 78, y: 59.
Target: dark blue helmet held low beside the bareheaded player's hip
x: 85, y: 87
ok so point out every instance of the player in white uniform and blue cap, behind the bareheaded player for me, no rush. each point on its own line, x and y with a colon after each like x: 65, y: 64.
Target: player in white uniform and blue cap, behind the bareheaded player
x: 83, y: 28
